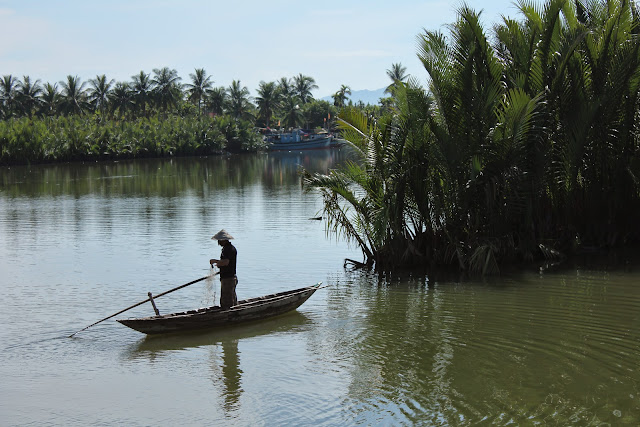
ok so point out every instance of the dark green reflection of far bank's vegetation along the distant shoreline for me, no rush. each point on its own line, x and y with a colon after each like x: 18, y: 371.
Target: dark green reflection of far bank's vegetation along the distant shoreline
x: 166, y: 177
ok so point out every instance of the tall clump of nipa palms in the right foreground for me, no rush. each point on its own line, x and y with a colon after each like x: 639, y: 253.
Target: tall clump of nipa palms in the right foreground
x: 525, y: 145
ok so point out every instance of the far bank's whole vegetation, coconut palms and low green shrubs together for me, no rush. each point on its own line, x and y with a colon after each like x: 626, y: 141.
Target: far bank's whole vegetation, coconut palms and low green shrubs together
x: 150, y: 116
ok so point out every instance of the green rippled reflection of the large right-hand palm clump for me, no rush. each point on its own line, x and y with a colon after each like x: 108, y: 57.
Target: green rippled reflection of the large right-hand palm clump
x: 527, y: 348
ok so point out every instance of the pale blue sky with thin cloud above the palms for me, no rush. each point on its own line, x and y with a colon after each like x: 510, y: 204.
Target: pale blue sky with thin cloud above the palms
x: 350, y: 42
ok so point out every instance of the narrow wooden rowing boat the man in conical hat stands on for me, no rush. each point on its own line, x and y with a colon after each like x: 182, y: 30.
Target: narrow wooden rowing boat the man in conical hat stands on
x: 210, y: 317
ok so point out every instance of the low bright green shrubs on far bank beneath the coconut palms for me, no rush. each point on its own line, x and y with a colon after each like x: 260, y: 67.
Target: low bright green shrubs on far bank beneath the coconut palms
x: 76, y: 137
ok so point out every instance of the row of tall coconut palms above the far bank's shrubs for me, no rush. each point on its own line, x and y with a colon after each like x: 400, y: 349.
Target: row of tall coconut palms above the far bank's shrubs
x: 162, y: 91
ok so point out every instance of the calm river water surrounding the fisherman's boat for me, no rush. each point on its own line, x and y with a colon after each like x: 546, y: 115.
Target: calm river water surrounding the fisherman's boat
x: 80, y: 242
